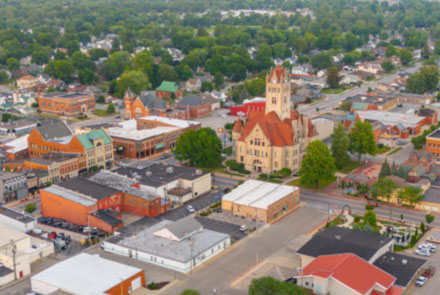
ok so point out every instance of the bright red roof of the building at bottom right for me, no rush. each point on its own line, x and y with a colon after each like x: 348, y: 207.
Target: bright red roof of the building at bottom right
x: 352, y: 271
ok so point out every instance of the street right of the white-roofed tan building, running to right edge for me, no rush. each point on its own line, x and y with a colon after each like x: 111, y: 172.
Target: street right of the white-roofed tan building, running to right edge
x: 322, y: 202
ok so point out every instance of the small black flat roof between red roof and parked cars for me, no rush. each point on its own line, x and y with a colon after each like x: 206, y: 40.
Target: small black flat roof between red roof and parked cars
x: 401, y: 266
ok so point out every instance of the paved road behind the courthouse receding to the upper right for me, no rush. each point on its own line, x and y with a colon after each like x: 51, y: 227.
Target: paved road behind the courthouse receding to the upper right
x: 333, y: 100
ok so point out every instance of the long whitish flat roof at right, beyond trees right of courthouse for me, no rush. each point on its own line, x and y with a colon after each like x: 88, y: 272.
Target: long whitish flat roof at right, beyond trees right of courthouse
x: 391, y: 118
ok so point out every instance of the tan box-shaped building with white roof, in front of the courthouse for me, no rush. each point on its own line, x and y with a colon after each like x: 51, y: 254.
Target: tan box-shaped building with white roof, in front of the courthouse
x: 261, y: 201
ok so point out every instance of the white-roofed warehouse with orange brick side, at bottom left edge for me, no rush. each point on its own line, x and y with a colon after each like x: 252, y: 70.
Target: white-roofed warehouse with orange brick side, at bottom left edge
x: 86, y: 274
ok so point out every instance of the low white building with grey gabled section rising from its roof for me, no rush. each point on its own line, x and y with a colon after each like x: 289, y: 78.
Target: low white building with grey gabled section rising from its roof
x: 180, y: 245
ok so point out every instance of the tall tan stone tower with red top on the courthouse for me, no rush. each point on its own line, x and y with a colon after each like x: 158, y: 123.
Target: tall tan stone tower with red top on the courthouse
x: 278, y: 92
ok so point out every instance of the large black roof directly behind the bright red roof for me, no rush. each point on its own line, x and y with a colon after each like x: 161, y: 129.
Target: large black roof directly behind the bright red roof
x: 338, y: 240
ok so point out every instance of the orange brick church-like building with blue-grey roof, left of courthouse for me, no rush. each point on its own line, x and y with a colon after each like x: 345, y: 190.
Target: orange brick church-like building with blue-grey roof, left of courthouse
x: 148, y: 104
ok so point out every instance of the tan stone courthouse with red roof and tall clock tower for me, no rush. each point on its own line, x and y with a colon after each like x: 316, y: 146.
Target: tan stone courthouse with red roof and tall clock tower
x: 276, y: 139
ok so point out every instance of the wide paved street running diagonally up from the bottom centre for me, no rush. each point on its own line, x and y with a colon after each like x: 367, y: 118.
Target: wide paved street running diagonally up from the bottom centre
x: 231, y: 265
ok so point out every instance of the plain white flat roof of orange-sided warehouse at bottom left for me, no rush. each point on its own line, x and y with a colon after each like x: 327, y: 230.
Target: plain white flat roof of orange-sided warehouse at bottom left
x: 86, y: 274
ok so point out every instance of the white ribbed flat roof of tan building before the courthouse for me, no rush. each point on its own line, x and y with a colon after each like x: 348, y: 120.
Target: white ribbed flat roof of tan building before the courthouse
x: 258, y: 194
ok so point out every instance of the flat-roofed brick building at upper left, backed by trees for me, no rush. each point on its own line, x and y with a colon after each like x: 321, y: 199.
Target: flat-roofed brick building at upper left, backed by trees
x: 66, y: 104
